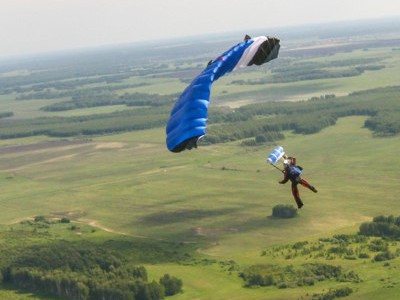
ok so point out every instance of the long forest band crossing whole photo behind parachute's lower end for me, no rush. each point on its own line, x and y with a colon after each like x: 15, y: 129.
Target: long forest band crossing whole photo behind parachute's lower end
x: 263, y: 119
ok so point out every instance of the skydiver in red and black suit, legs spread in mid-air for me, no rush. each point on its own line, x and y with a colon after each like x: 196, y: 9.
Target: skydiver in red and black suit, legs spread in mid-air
x: 292, y: 172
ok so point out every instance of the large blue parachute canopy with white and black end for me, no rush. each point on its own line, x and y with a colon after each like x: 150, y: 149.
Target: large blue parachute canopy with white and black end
x: 187, y: 122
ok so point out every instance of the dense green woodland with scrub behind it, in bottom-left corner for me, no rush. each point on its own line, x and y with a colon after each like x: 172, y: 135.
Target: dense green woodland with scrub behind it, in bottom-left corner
x: 75, y: 270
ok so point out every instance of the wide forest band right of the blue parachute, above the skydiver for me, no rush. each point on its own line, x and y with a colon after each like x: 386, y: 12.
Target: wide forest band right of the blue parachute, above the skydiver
x: 307, y: 117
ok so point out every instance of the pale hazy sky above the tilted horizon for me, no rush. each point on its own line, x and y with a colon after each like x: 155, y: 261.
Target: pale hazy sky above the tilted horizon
x: 36, y: 26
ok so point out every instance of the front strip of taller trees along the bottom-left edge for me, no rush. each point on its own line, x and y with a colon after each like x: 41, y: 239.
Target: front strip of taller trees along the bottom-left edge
x: 131, y: 285
